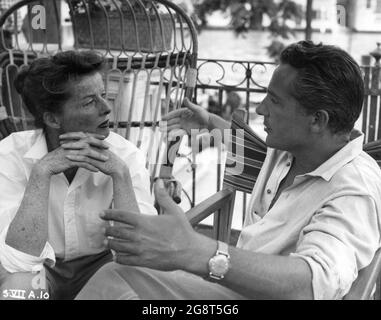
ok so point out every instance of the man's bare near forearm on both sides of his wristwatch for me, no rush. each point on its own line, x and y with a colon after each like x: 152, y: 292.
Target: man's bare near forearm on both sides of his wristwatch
x: 256, y: 275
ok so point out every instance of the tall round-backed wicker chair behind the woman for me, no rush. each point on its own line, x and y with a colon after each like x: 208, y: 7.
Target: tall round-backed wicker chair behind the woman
x: 150, y: 48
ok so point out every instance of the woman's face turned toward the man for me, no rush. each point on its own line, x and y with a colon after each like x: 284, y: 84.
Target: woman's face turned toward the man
x: 86, y: 110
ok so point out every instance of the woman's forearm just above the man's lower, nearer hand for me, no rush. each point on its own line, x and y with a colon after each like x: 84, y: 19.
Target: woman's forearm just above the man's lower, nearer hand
x: 124, y: 195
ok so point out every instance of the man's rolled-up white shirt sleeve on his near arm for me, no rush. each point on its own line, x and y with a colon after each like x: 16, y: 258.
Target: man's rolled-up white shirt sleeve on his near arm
x: 340, y: 240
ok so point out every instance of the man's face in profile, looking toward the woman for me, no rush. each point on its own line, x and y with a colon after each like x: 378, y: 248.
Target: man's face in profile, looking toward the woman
x: 285, y: 122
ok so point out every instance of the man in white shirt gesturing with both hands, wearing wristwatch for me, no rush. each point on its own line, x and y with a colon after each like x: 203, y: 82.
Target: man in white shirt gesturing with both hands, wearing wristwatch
x: 314, y: 218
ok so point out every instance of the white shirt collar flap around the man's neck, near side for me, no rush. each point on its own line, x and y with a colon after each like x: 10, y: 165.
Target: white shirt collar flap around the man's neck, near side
x: 352, y: 150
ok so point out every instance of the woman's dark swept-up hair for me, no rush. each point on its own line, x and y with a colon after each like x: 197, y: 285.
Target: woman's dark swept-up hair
x: 44, y: 85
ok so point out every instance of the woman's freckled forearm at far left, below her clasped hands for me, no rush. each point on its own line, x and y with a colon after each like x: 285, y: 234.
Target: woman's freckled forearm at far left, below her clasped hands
x: 28, y: 231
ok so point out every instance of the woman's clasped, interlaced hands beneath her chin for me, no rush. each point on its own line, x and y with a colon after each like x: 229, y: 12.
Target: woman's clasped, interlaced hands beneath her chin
x: 76, y: 142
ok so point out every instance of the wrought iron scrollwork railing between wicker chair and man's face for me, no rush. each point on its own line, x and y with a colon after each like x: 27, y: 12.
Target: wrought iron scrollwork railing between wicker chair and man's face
x: 217, y: 80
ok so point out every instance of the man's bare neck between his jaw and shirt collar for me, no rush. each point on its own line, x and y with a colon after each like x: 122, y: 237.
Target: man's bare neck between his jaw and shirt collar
x: 318, y: 152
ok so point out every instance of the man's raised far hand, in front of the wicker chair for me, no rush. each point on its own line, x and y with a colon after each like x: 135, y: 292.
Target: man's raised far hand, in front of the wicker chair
x: 182, y: 121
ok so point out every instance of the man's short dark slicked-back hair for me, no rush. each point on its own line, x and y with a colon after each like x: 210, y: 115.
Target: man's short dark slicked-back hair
x: 328, y: 79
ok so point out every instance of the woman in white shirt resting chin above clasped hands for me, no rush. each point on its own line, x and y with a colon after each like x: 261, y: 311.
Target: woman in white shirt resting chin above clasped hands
x: 56, y: 180
